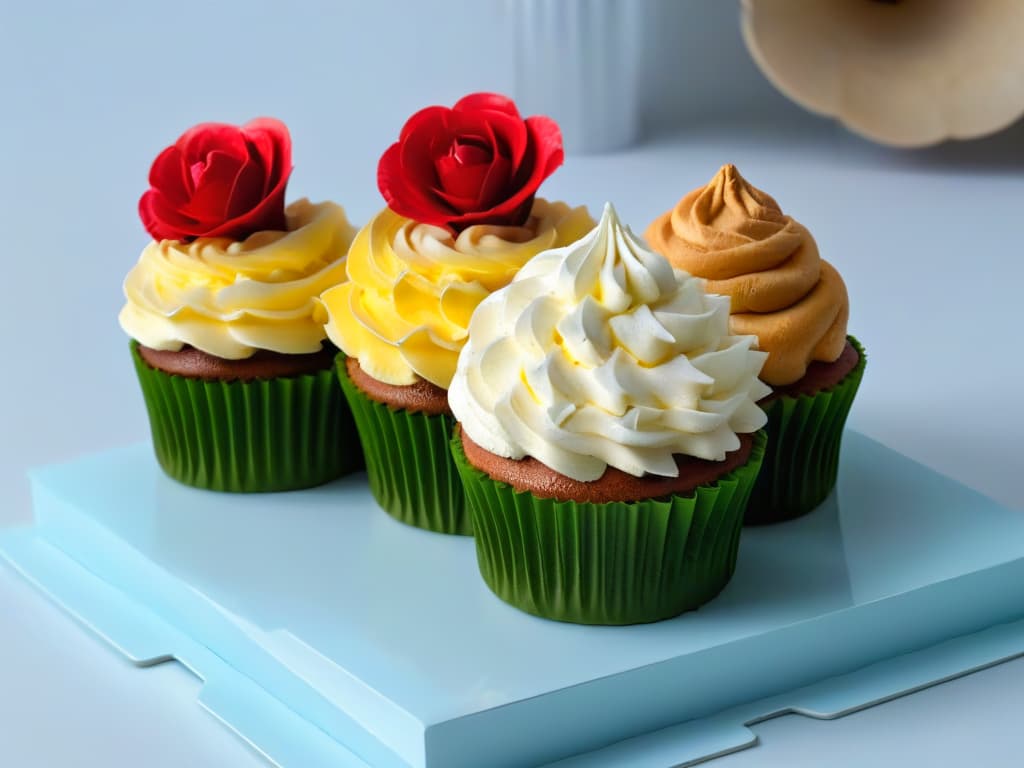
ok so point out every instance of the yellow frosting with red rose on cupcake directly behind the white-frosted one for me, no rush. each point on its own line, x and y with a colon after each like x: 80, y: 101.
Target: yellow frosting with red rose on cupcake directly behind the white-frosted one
x: 462, y: 220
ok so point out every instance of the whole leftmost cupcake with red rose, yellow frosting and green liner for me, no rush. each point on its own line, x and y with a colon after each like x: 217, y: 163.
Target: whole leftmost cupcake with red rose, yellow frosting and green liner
x: 236, y: 373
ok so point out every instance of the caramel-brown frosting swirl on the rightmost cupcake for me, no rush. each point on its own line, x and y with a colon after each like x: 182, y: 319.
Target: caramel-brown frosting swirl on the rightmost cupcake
x: 739, y: 240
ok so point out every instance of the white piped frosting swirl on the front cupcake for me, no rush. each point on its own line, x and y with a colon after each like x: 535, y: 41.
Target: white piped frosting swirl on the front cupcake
x: 602, y: 355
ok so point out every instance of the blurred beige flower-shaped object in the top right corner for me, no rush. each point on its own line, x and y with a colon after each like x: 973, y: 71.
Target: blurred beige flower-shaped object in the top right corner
x: 906, y: 73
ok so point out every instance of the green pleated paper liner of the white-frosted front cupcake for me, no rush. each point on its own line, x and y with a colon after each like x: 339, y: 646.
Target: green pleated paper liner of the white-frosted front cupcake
x: 613, y: 564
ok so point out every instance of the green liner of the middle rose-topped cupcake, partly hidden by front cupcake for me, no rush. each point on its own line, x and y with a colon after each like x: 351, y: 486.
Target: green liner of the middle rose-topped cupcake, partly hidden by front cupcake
x: 409, y: 464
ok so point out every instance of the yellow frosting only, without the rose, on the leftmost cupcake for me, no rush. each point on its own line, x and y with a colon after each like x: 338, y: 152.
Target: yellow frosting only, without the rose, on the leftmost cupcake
x: 231, y: 300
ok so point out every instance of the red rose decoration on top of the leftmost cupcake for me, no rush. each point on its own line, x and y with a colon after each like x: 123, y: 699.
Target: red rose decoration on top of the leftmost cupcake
x: 220, y: 181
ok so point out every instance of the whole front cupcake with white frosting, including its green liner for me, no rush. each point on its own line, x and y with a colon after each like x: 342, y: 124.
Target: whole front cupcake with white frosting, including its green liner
x: 608, y: 436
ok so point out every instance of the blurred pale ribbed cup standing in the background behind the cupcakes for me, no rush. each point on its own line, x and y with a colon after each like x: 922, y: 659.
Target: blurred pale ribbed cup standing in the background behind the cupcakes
x: 579, y: 62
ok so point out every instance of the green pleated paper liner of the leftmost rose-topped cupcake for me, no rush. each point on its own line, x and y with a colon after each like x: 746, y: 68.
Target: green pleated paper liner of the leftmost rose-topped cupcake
x: 249, y: 437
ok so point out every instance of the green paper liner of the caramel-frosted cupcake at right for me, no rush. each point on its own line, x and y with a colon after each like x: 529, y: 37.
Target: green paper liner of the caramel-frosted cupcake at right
x: 804, y: 440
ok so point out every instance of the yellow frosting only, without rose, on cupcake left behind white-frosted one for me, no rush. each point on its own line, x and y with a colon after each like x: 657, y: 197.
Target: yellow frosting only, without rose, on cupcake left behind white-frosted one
x: 413, y: 287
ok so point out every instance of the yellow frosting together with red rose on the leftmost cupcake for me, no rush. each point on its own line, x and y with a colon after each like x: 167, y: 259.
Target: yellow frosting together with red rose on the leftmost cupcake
x: 232, y: 271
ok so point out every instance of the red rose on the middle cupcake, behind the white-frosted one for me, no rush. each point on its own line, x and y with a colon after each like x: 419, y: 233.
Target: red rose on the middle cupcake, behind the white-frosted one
x: 479, y: 163
